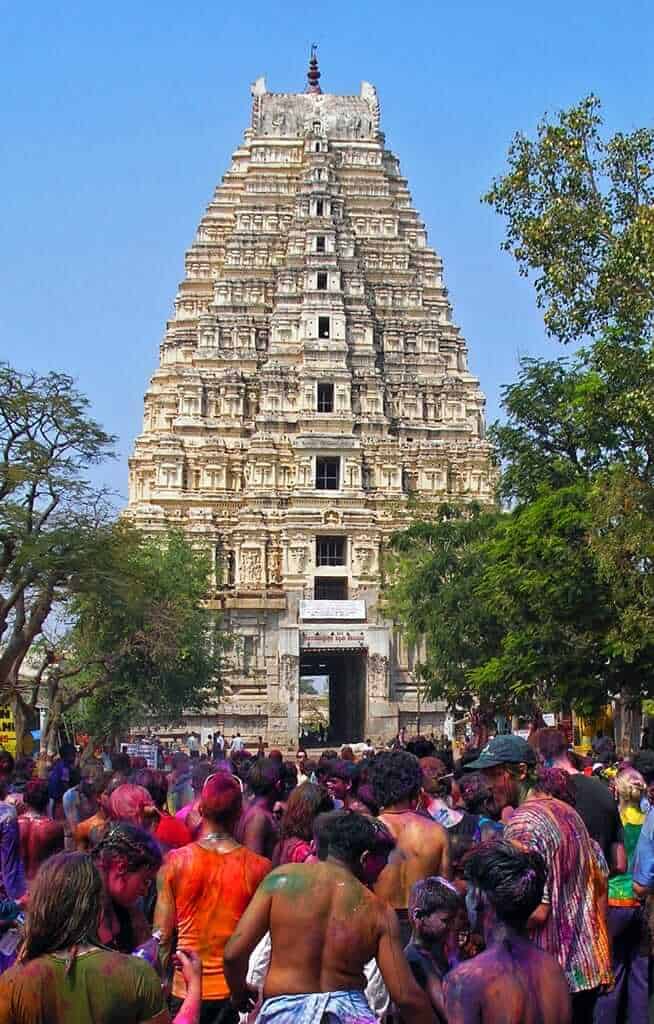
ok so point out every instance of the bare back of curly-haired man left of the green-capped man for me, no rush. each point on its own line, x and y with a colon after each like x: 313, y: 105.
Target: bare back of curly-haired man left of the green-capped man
x: 422, y: 850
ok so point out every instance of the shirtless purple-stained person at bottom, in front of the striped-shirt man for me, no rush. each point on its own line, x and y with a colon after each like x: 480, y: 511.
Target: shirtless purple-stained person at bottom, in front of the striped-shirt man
x: 513, y: 982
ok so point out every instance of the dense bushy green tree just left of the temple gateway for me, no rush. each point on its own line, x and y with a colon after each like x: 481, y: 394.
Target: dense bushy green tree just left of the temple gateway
x: 144, y: 644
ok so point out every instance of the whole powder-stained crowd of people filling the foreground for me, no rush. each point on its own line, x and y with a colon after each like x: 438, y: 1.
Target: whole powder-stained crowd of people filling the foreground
x: 512, y: 886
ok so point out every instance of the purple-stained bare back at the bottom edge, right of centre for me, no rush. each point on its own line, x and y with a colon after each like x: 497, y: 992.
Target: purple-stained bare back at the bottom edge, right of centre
x: 511, y: 984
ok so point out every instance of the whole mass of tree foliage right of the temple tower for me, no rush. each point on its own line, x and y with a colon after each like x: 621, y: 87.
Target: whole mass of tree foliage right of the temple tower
x: 551, y: 602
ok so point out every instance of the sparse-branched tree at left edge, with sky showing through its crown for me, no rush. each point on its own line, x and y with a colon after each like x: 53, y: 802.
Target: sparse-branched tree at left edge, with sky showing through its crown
x: 53, y: 523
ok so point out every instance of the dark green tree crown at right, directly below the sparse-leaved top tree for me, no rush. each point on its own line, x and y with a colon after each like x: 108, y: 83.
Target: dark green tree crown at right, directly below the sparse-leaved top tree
x: 570, y: 419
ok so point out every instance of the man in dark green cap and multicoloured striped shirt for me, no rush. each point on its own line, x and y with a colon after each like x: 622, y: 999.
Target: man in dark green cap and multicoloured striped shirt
x: 570, y: 923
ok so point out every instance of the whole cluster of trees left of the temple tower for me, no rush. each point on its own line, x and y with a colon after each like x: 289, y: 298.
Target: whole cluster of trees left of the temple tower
x: 105, y: 616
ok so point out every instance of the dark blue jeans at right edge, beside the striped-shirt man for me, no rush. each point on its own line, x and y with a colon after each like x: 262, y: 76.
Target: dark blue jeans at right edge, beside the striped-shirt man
x: 628, y: 1003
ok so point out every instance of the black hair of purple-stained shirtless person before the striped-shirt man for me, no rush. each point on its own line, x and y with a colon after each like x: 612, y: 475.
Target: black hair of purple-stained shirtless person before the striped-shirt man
x: 513, y: 880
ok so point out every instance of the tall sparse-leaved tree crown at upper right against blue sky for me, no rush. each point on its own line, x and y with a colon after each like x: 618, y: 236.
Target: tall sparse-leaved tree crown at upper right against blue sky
x: 580, y: 214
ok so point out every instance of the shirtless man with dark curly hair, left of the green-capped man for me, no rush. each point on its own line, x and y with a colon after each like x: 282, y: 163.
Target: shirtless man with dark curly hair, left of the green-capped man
x: 422, y: 846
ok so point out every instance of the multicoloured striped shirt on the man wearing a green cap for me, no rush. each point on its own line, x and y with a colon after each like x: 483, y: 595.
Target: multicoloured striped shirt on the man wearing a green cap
x: 576, y: 930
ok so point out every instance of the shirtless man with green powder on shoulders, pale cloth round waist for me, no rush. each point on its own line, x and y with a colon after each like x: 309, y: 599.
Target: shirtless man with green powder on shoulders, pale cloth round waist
x: 342, y: 927
